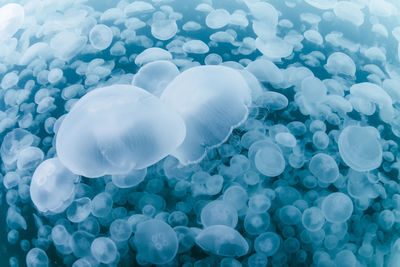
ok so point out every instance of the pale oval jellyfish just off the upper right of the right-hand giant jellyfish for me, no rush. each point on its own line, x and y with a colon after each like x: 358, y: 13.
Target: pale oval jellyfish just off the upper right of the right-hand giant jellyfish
x: 265, y: 71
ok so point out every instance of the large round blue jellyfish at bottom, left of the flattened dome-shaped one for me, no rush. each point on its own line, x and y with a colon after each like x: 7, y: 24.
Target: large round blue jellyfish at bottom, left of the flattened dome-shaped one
x: 156, y: 241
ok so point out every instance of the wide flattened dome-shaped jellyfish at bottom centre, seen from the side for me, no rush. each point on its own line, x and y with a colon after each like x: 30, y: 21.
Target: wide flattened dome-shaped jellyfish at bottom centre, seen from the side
x: 222, y: 240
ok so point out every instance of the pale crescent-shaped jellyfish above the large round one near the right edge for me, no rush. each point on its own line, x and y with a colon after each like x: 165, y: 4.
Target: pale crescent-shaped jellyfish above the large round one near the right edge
x: 375, y: 94
